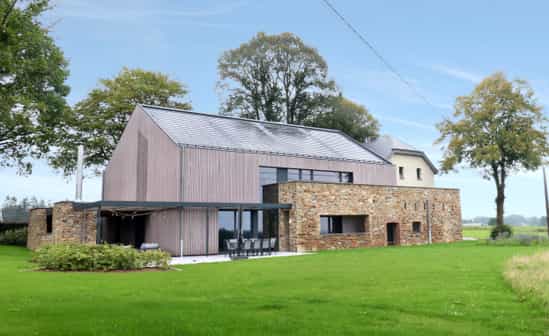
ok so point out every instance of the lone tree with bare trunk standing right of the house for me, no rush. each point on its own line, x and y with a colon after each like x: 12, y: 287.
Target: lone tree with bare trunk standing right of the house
x: 500, y: 129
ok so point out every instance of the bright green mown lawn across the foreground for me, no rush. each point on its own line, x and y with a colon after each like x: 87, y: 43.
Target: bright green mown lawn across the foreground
x: 454, y: 289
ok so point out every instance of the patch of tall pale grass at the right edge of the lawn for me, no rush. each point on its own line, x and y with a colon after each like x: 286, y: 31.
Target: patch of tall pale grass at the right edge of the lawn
x: 529, y: 275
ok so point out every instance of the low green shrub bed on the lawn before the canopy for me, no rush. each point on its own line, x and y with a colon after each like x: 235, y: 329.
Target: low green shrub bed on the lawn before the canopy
x: 105, y: 257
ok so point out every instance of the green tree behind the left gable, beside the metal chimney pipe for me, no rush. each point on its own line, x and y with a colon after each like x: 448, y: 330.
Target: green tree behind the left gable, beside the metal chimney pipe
x: 97, y: 122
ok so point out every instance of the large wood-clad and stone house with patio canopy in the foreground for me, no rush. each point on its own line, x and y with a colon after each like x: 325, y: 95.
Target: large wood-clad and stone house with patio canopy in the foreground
x: 191, y: 182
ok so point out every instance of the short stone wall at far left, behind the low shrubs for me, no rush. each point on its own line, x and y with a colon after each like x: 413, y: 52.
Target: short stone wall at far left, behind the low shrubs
x: 68, y: 226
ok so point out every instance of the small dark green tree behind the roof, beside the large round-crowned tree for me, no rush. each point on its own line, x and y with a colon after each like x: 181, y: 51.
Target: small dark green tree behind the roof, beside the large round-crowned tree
x: 349, y: 117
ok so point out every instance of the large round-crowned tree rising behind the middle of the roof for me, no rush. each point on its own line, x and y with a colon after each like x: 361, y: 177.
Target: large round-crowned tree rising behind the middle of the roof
x: 274, y: 78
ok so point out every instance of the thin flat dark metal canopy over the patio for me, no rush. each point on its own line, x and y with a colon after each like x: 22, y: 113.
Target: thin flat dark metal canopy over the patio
x: 156, y: 205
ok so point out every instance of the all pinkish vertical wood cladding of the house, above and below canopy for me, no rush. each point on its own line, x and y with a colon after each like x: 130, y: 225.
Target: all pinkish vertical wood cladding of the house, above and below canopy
x: 148, y: 166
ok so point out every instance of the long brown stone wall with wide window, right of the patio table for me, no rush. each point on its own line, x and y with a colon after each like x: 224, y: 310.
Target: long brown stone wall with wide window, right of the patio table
x: 379, y: 204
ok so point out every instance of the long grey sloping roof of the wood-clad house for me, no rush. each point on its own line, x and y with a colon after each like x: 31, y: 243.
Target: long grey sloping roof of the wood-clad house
x: 220, y: 132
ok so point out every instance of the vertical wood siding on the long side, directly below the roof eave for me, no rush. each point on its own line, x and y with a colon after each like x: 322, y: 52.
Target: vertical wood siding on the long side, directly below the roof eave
x: 225, y: 176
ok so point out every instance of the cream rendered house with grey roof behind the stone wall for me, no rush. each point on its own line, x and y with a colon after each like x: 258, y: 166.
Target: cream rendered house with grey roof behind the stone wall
x: 413, y: 167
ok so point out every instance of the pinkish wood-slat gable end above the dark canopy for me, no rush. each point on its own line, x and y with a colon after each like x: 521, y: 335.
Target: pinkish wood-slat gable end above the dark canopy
x: 162, y: 166
